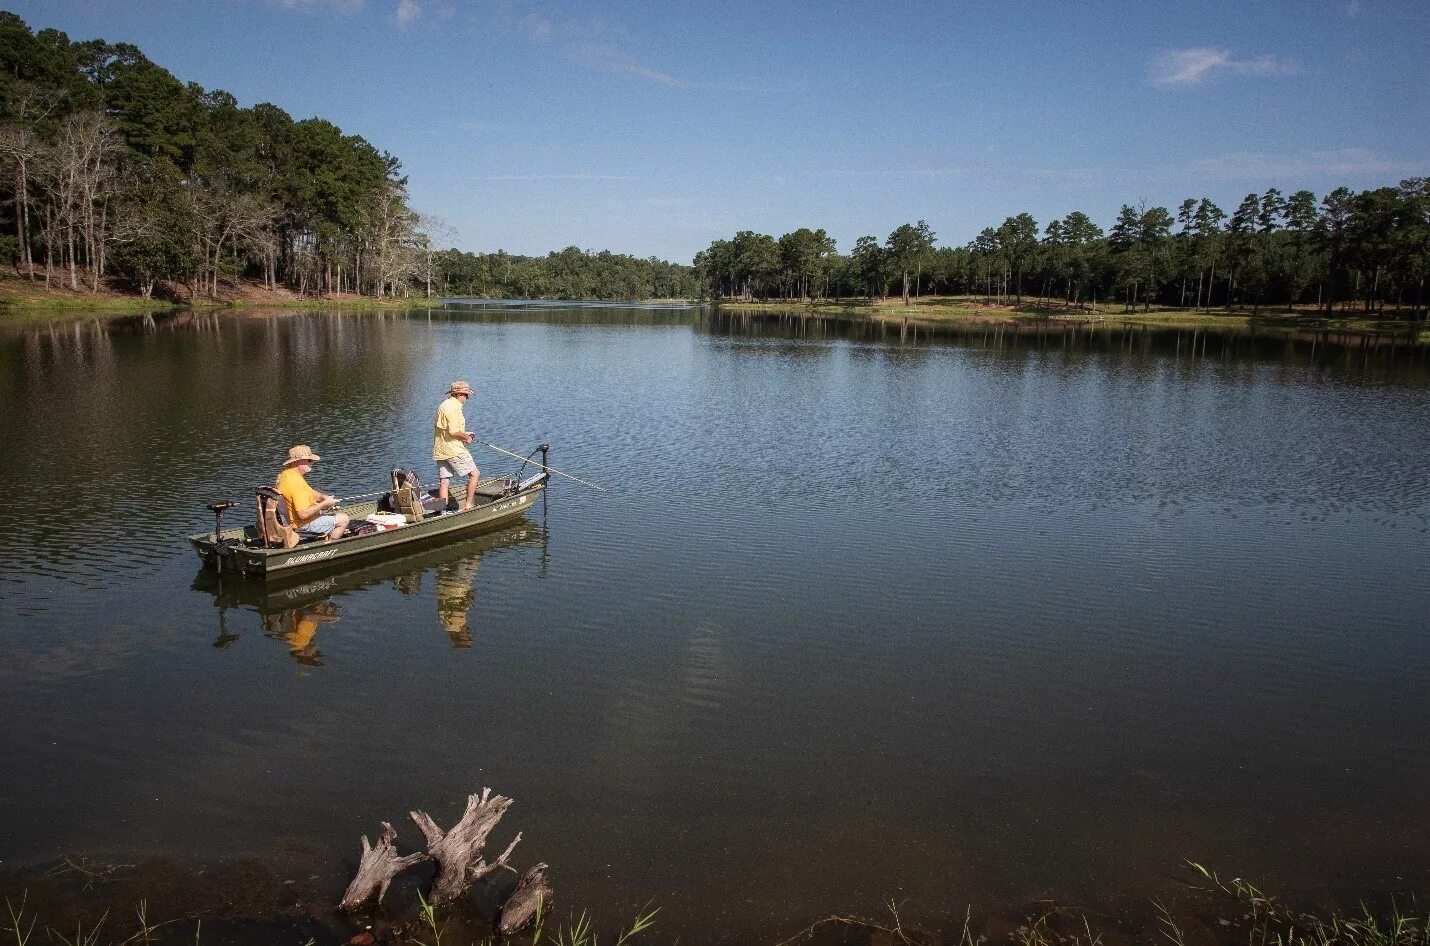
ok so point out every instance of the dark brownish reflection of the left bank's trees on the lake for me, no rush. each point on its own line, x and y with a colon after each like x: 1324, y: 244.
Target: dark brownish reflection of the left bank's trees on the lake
x: 162, y: 395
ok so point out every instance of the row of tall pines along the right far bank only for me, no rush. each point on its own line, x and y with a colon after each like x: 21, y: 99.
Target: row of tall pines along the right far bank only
x: 1365, y: 251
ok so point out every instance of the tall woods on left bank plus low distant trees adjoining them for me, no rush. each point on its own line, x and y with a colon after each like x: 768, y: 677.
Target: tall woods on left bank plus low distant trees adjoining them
x: 117, y: 174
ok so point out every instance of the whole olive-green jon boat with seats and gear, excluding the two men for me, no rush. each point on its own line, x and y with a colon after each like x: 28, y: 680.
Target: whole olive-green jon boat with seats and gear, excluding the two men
x: 261, y: 551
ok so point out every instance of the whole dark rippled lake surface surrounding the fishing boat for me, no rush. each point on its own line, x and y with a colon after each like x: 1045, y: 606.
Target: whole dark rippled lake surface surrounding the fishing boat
x: 864, y: 617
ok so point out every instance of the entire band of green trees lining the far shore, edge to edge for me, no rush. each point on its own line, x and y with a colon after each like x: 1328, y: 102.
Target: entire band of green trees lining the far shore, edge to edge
x: 117, y: 174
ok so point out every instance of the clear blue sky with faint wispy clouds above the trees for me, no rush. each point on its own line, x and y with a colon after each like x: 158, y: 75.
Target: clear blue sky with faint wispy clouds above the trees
x: 656, y: 128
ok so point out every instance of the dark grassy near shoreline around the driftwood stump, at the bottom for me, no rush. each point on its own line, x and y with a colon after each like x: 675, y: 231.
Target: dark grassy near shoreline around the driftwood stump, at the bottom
x: 251, y: 901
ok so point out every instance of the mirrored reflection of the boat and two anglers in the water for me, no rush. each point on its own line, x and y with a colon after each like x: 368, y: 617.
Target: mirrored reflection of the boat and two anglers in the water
x: 295, y: 614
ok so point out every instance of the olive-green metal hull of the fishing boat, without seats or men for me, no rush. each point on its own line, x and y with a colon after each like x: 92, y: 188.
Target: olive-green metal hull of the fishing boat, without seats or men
x: 230, y: 554
